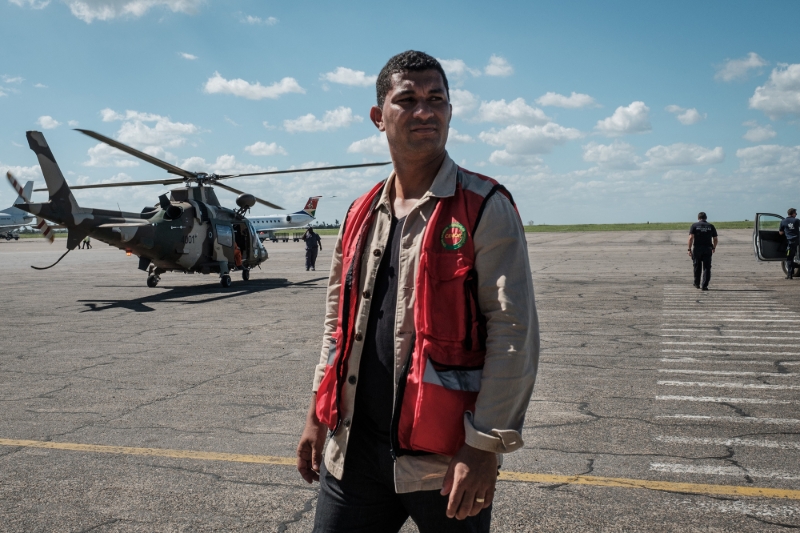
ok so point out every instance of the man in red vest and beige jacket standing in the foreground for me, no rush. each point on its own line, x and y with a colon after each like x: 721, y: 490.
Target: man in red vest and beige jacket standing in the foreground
x: 431, y: 339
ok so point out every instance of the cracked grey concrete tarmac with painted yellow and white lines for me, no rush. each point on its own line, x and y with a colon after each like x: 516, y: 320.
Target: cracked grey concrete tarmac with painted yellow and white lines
x: 685, y: 402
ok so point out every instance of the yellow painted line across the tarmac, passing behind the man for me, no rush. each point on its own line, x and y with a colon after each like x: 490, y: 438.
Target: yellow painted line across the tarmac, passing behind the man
x: 520, y: 477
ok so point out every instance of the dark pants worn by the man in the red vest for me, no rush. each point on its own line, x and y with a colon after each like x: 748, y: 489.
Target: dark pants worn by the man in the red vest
x: 364, y: 501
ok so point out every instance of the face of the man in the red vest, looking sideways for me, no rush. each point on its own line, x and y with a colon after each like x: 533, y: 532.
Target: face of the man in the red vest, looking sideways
x: 415, y: 115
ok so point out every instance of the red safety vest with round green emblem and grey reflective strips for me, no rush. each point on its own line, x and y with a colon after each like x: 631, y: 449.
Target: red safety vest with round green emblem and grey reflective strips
x: 441, y: 379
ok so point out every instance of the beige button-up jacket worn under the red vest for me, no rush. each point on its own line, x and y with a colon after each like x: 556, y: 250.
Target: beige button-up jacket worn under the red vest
x: 506, y: 298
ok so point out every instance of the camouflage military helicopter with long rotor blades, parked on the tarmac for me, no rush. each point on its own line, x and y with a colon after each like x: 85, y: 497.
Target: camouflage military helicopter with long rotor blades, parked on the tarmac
x: 189, y: 231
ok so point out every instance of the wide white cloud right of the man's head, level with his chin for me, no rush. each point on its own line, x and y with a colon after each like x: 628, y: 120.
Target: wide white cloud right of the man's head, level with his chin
x: 518, y: 139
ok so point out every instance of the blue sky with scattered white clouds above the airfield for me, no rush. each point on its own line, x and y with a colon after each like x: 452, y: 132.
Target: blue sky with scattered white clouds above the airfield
x: 677, y: 107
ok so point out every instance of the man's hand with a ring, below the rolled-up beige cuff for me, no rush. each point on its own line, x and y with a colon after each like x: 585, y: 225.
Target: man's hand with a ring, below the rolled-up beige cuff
x: 472, y: 476
